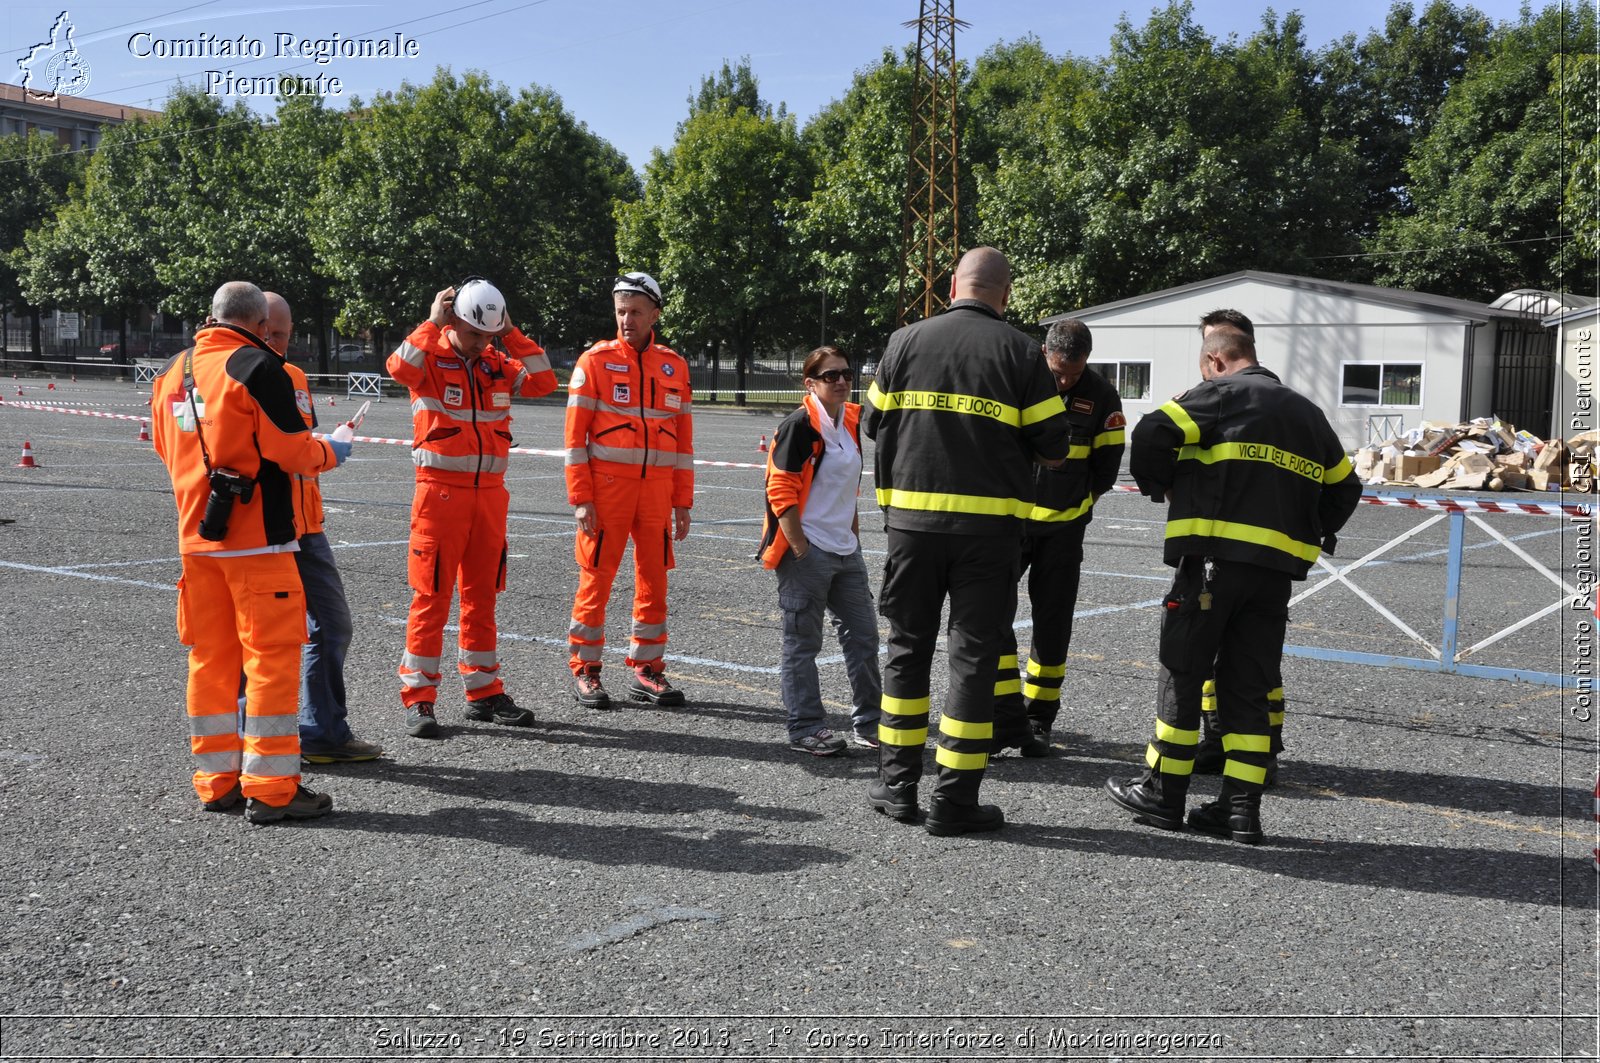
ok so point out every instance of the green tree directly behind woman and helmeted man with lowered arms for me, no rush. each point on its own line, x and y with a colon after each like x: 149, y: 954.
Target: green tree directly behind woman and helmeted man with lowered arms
x: 718, y: 228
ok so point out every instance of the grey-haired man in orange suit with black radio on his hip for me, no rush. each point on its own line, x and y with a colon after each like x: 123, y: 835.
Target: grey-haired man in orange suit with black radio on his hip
x: 228, y: 428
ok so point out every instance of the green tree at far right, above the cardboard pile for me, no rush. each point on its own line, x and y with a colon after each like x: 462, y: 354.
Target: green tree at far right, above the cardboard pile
x: 1489, y: 179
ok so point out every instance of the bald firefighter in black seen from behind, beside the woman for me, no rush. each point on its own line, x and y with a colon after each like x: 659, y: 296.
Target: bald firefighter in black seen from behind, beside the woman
x: 961, y: 409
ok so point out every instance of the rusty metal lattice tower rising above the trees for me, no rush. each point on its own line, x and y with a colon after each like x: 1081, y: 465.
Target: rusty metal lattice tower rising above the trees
x: 930, y: 225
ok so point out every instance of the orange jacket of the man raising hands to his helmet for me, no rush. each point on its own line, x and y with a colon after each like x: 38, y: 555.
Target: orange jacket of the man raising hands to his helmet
x: 460, y: 414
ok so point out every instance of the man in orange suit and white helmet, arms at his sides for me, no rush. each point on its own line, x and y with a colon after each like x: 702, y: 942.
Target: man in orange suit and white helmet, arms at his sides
x: 630, y: 475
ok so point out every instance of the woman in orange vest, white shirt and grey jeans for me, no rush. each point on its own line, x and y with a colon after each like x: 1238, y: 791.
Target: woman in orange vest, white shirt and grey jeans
x: 812, y: 537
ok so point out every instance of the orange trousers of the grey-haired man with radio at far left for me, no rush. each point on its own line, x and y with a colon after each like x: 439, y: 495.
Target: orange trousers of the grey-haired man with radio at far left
x: 244, y: 616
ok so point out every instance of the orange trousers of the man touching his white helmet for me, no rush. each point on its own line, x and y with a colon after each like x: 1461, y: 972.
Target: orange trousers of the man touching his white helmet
x: 458, y: 540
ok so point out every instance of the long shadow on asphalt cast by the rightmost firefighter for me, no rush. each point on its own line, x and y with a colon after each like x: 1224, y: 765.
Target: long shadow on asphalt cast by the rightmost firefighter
x: 1494, y: 875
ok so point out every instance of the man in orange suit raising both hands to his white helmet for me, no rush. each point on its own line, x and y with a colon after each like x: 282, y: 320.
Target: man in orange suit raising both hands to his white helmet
x: 462, y: 390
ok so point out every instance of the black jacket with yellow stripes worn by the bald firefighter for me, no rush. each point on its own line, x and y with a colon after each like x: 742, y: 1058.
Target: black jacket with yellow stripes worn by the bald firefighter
x: 961, y: 406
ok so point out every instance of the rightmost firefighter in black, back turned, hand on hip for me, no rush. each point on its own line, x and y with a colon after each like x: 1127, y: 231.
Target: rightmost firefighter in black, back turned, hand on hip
x: 1258, y: 484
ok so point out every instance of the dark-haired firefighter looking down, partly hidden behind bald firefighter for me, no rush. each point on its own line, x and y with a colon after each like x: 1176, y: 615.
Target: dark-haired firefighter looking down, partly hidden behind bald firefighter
x: 1026, y: 705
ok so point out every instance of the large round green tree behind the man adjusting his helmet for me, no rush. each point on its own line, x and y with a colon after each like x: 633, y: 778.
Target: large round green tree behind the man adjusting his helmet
x: 460, y: 177
